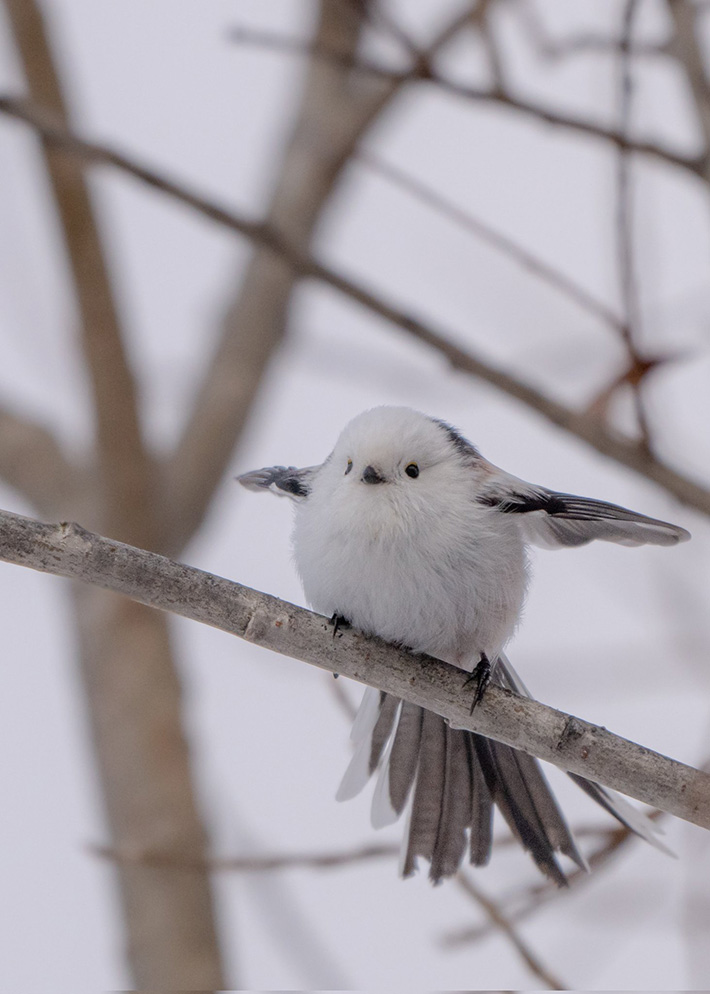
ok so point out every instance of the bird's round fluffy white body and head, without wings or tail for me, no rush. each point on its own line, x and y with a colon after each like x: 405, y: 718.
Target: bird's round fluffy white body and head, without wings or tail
x: 399, y: 559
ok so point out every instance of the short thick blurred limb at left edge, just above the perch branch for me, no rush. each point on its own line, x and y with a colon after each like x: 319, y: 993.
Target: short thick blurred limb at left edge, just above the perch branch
x: 33, y: 463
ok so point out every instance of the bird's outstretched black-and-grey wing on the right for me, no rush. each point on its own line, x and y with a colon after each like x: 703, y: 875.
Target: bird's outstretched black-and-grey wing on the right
x: 554, y: 520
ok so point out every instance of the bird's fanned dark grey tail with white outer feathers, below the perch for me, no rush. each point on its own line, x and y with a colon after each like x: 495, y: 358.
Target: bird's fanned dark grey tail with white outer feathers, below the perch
x: 455, y: 778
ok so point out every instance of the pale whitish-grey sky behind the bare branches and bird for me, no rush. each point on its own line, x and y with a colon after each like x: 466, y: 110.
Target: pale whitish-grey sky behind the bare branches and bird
x: 618, y: 636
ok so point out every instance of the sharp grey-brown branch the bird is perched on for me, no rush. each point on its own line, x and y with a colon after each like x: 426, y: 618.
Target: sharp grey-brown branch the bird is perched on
x: 568, y: 742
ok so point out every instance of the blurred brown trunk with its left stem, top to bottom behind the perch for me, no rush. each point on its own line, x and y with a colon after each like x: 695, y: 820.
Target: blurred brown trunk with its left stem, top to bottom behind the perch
x: 129, y: 675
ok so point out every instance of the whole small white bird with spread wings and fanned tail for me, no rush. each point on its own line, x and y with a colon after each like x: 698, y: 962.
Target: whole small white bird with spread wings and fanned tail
x: 408, y: 533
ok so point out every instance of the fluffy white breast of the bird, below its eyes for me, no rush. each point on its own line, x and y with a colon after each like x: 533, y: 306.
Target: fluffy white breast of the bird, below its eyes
x: 446, y: 577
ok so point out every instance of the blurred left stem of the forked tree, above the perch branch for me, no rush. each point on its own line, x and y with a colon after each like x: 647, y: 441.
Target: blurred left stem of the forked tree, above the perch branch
x: 125, y: 472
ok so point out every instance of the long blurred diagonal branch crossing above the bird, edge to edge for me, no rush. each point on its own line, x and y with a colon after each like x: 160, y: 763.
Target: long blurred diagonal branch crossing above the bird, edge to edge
x: 584, y: 426
